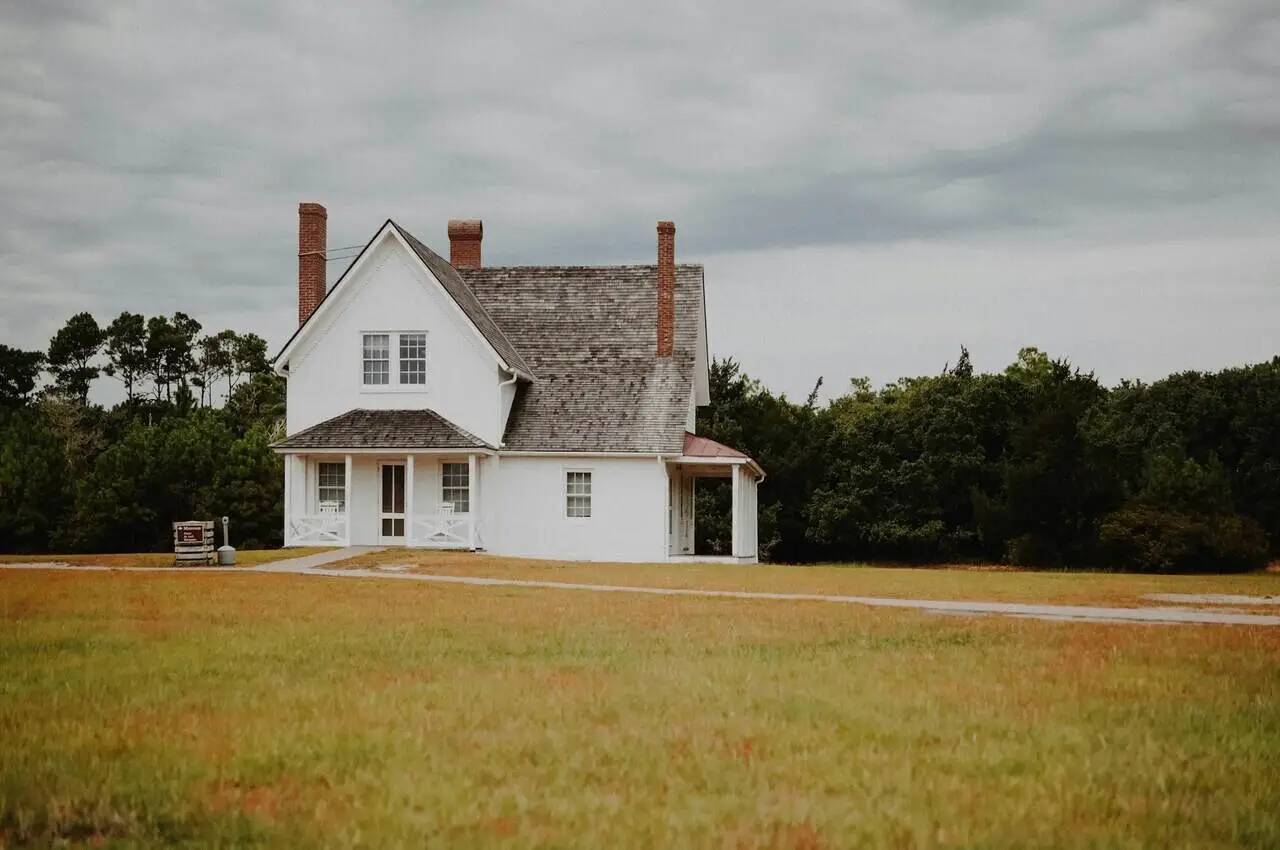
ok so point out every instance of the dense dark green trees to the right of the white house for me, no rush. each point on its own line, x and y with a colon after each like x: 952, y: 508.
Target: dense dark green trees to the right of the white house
x: 1037, y: 465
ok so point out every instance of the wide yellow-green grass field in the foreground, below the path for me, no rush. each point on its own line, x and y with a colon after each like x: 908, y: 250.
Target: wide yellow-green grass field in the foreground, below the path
x: 289, y: 711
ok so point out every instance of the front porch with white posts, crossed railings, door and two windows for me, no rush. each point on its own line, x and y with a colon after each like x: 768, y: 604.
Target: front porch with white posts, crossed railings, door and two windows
x: 422, y: 500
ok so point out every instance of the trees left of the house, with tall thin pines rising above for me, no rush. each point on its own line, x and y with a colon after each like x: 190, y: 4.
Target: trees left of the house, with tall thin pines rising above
x: 191, y: 440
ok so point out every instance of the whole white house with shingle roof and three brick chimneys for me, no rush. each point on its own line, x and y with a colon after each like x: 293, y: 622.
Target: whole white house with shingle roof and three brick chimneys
x: 538, y: 412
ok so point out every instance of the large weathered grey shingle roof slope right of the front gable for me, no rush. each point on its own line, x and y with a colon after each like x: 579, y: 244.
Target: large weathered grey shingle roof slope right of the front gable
x: 591, y: 336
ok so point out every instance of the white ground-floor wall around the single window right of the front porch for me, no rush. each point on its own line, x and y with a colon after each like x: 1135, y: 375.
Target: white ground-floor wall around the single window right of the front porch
x: 524, y: 504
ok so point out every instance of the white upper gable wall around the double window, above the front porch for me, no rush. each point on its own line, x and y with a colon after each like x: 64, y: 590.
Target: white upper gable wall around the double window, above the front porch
x: 394, y: 293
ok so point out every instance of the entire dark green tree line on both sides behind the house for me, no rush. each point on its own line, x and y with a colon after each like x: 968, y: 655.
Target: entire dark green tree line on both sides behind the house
x: 1037, y: 465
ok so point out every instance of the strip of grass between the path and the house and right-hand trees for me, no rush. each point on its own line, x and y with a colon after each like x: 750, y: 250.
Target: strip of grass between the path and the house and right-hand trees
x: 990, y: 584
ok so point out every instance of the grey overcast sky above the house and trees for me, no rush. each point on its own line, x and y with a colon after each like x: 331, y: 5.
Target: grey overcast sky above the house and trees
x: 871, y: 185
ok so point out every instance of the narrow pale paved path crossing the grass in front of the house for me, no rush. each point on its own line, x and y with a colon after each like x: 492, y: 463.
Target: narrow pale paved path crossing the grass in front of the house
x: 316, y: 566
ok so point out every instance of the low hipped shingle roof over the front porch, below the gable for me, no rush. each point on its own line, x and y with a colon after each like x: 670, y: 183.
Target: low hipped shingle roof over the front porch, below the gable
x: 420, y: 429
